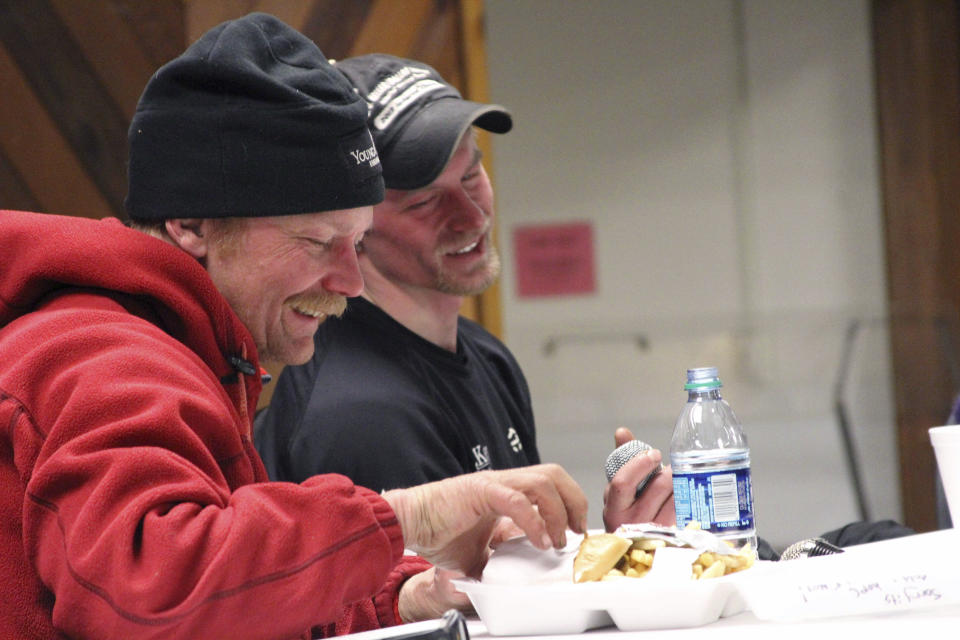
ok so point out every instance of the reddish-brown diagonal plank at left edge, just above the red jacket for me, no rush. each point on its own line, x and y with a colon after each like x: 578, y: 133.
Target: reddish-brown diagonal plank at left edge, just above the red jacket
x: 39, y: 154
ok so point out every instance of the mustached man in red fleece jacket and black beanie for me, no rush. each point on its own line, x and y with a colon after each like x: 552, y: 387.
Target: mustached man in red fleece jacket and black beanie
x: 132, y: 502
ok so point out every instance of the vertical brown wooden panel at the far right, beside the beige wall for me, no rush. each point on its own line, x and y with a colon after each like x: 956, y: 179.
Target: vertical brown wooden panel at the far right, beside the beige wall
x: 918, y: 98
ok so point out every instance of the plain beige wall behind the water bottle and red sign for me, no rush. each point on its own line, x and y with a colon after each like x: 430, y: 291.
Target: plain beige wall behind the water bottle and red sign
x: 726, y: 154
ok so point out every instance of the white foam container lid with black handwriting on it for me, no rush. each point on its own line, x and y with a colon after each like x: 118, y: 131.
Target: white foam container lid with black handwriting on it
x: 905, y: 573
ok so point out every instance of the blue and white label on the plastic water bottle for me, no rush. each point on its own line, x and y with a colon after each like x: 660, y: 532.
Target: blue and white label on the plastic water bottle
x: 721, y: 501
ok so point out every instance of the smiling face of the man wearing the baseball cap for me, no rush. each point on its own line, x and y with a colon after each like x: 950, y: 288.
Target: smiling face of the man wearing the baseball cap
x: 438, y: 237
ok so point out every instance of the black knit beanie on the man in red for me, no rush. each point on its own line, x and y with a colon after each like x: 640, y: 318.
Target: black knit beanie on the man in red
x: 252, y: 120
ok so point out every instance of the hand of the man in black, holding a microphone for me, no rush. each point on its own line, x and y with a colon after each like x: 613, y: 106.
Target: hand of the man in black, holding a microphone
x: 655, y: 504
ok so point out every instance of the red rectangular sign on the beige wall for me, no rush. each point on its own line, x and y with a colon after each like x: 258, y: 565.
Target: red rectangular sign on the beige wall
x: 554, y: 260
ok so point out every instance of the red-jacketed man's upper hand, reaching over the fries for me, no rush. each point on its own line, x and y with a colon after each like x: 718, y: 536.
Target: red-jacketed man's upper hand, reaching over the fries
x: 452, y: 522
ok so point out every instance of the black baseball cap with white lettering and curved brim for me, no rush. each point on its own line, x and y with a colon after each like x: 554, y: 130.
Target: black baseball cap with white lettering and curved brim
x: 416, y: 117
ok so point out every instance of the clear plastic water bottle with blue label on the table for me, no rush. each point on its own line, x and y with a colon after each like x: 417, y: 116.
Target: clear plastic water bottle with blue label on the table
x: 711, y: 463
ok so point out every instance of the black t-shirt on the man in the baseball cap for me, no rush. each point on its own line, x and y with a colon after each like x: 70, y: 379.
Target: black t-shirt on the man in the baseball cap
x: 388, y: 409
